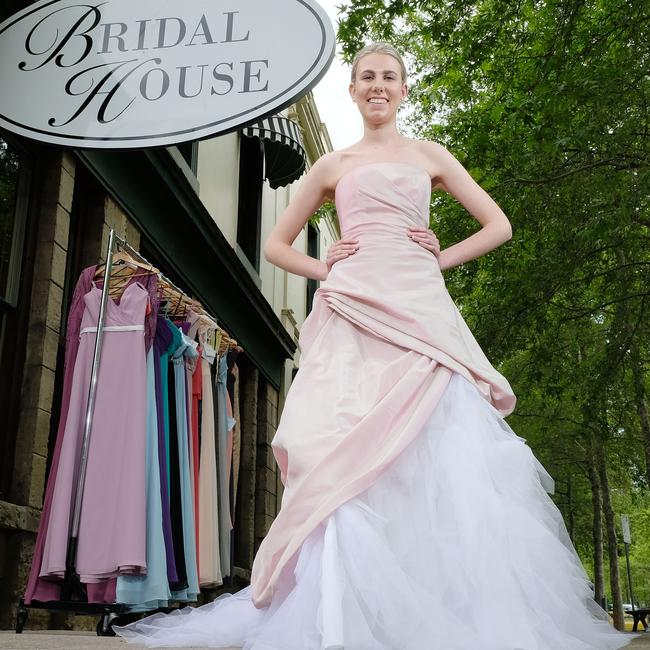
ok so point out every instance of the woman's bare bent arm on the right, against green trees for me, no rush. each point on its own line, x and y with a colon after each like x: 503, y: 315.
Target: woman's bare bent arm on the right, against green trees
x: 457, y: 181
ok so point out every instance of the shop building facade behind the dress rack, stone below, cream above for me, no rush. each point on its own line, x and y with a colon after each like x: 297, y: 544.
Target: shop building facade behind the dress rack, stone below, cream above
x: 200, y: 213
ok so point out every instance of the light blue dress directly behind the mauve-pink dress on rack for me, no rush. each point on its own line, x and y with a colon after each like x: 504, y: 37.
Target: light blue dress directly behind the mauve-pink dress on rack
x: 151, y: 590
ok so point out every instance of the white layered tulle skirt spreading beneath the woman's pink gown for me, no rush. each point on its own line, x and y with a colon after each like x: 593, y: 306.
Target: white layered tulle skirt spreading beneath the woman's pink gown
x: 456, y: 547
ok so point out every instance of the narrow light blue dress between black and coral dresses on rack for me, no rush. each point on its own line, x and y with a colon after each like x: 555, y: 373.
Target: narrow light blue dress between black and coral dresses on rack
x: 187, y: 349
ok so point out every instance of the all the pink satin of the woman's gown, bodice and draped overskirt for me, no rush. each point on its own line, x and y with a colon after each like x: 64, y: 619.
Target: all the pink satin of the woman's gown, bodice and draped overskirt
x: 376, y: 397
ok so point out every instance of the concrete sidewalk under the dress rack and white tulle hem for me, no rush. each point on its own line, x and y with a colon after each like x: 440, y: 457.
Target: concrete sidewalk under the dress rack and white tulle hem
x: 89, y: 641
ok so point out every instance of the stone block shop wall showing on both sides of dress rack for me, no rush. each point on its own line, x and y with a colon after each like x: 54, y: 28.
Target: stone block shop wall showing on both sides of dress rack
x: 69, y: 188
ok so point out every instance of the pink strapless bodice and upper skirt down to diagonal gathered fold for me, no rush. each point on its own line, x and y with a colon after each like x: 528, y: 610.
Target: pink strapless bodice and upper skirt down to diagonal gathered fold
x: 393, y: 285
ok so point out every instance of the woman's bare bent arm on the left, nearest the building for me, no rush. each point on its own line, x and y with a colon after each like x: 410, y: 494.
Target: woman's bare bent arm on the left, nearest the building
x: 310, y: 196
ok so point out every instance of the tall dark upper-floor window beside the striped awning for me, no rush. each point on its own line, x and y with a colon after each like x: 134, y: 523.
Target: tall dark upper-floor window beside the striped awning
x: 249, y: 211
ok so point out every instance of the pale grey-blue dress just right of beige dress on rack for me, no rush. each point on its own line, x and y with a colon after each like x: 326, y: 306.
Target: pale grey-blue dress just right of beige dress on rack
x: 225, y: 422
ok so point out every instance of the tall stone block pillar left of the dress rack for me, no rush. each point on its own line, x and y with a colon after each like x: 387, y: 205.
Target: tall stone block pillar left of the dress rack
x: 19, y: 519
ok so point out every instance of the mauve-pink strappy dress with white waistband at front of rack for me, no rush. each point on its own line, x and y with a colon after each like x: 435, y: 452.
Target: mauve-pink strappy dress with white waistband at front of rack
x: 111, y: 537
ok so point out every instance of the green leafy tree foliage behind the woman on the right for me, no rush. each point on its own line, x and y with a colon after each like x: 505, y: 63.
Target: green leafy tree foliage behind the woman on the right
x: 546, y: 105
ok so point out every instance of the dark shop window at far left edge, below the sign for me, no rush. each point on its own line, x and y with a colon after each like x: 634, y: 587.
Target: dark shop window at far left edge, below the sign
x: 15, y: 174
